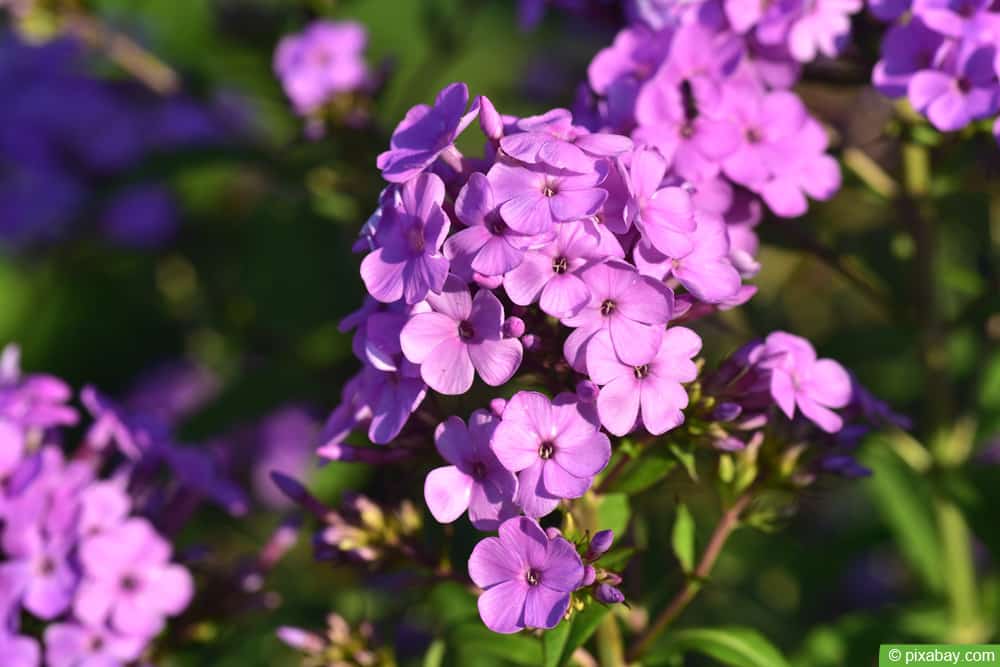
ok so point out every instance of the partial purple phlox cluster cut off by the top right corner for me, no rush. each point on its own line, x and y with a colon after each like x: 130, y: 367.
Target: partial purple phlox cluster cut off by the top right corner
x: 943, y: 56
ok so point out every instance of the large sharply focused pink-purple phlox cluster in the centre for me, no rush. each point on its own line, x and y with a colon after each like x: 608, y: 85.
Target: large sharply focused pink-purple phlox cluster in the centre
x: 566, y: 260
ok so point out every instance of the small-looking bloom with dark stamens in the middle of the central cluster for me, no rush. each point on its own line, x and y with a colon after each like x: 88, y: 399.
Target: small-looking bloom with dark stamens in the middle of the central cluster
x: 550, y: 274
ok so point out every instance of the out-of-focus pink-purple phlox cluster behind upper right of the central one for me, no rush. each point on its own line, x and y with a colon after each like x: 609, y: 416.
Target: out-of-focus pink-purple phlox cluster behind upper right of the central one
x: 708, y: 85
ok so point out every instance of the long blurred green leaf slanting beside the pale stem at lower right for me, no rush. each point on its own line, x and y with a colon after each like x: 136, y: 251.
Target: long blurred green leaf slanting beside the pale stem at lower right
x: 904, y: 500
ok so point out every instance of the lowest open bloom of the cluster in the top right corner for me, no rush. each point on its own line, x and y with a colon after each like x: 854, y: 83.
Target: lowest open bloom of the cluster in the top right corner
x: 952, y: 99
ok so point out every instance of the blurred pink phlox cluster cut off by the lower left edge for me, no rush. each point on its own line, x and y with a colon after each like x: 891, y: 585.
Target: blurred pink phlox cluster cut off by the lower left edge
x: 80, y: 552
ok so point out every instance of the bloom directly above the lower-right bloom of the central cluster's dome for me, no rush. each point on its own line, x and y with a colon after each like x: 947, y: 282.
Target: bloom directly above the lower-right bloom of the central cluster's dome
x: 634, y: 309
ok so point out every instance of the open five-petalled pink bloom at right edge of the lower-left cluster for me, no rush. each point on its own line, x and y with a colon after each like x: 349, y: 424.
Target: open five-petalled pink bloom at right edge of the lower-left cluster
x: 130, y: 581
